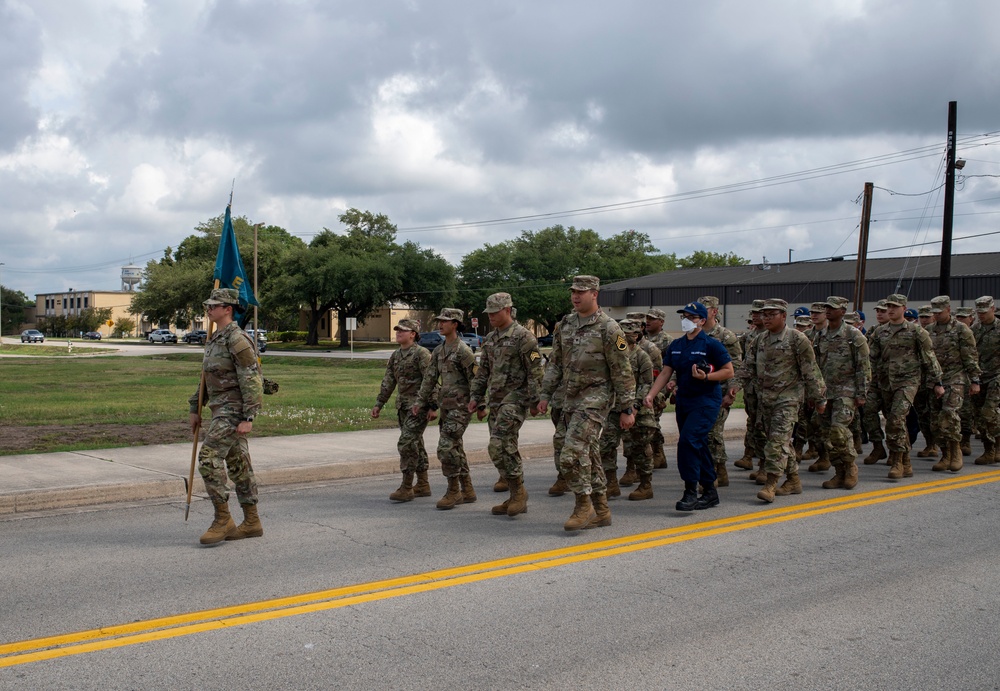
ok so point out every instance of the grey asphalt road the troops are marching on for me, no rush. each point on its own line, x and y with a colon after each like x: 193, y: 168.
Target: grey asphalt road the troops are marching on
x: 890, y: 586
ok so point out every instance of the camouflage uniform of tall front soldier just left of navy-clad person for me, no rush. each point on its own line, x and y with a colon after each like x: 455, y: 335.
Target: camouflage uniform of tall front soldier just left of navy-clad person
x: 589, y: 359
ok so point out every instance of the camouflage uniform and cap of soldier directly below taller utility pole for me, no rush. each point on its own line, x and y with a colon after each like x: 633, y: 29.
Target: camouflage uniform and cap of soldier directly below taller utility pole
x: 955, y: 350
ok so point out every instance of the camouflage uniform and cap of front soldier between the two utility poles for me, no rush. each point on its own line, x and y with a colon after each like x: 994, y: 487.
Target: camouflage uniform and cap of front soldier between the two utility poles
x: 903, y: 359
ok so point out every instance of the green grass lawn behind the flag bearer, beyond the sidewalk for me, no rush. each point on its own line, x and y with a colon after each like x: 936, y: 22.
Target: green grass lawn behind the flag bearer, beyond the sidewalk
x: 58, y: 404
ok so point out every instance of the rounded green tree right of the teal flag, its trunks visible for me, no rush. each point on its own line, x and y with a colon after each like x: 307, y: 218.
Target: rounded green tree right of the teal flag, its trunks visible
x: 361, y: 271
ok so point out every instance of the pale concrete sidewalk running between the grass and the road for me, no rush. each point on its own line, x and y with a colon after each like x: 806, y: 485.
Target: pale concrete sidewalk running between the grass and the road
x: 40, y: 482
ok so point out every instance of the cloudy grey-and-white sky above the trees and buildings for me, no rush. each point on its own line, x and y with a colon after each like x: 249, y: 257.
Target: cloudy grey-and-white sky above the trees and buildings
x: 721, y: 125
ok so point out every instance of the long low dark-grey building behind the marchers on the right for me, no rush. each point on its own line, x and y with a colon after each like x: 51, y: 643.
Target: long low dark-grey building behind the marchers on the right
x: 802, y: 283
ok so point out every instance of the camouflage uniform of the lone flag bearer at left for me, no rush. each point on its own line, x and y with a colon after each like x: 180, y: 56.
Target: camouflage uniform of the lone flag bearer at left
x: 233, y: 389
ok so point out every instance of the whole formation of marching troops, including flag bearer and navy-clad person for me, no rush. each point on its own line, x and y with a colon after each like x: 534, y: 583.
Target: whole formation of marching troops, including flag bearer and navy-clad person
x: 815, y: 389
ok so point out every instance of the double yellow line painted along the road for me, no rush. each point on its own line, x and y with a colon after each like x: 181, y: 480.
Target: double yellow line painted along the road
x: 37, y: 649
